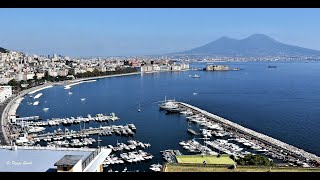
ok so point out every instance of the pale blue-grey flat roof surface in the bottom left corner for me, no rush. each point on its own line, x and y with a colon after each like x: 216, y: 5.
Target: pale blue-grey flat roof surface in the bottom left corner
x: 36, y: 159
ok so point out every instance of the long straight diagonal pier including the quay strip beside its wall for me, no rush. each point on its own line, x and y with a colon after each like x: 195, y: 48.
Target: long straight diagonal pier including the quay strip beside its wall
x: 269, y: 143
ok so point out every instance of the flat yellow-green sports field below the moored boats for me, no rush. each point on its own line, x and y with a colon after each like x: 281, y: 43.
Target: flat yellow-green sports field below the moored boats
x: 209, y: 159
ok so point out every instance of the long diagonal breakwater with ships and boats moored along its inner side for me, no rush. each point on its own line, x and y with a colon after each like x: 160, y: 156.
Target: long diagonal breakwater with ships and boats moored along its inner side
x: 256, y: 141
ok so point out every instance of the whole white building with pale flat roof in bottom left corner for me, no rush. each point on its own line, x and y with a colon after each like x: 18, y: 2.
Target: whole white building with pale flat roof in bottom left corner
x: 48, y: 159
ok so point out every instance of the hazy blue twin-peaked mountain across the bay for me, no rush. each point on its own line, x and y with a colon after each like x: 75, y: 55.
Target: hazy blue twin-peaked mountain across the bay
x: 254, y: 45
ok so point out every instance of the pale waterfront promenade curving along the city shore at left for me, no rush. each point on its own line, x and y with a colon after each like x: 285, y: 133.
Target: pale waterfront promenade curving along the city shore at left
x: 5, y: 107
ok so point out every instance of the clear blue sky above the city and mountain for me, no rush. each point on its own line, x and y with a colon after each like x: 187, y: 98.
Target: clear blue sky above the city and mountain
x: 110, y: 32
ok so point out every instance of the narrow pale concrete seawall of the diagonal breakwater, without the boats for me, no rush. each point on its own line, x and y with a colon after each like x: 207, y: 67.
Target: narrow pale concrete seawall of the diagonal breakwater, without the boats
x: 264, y: 138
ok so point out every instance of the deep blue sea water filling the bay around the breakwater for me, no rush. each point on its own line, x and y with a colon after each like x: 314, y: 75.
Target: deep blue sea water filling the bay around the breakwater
x: 282, y: 102
